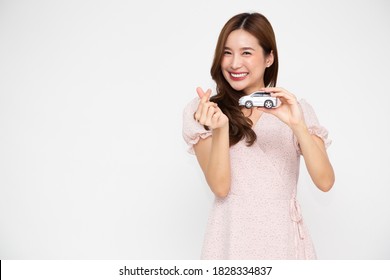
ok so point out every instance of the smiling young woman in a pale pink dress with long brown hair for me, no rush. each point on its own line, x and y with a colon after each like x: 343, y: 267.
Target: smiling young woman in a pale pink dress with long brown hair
x: 250, y: 157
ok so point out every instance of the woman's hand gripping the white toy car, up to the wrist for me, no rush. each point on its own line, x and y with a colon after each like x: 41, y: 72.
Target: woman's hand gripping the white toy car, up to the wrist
x: 288, y: 111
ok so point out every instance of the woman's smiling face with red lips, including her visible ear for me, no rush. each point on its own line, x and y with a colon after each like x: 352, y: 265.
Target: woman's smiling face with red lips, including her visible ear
x: 243, y: 63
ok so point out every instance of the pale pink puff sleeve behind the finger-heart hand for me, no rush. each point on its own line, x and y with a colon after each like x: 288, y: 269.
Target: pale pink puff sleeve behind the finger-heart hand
x: 192, y: 130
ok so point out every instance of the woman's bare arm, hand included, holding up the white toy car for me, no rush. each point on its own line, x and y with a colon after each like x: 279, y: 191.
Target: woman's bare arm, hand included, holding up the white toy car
x: 312, y: 147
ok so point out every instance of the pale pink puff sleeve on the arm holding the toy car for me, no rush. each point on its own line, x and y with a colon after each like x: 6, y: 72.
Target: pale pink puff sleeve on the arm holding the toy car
x: 312, y: 124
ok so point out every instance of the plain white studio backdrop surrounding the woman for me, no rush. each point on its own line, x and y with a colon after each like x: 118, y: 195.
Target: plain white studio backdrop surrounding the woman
x: 92, y: 161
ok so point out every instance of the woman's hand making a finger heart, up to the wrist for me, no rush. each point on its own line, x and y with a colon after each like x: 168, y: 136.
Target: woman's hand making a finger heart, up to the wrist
x: 208, y: 113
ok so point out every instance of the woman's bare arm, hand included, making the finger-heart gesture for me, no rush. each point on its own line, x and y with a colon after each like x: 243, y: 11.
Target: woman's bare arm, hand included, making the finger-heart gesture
x: 213, y: 152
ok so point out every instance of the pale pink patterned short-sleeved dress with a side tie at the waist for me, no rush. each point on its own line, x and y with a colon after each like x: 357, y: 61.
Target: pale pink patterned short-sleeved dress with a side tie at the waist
x: 260, y: 218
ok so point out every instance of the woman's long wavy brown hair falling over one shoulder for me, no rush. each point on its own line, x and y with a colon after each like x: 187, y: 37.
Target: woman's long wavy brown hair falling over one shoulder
x: 240, y: 127
